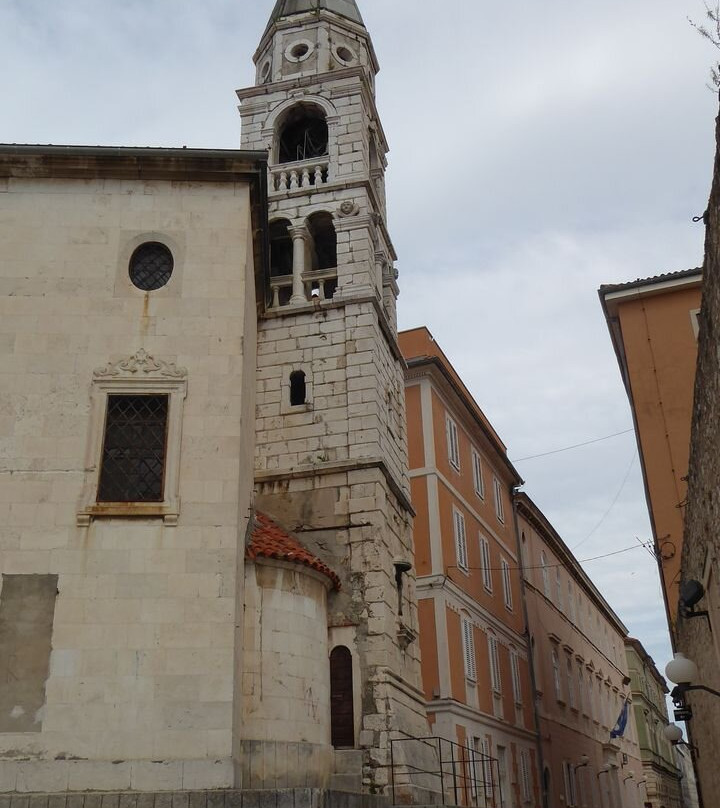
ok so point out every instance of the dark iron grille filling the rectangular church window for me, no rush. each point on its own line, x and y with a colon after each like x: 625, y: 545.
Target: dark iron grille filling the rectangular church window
x: 133, y: 459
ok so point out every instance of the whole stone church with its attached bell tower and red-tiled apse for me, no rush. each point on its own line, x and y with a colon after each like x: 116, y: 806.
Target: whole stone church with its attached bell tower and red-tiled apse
x: 207, y: 568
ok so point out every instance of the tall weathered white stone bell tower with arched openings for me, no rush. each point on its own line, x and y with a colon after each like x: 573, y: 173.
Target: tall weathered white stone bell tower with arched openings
x: 331, y: 450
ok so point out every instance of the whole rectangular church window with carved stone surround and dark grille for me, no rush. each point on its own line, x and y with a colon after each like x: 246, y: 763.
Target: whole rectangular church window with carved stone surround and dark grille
x: 132, y: 463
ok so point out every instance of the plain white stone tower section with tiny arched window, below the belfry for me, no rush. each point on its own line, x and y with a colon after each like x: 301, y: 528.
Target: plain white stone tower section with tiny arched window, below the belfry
x: 357, y: 406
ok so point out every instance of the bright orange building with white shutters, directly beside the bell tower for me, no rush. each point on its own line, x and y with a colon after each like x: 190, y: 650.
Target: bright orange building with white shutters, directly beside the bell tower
x: 474, y: 652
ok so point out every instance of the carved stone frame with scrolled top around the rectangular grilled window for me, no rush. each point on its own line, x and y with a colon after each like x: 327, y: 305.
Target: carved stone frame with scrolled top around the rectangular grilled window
x: 139, y: 374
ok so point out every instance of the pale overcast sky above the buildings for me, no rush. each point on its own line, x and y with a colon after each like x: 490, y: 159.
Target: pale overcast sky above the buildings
x: 538, y: 150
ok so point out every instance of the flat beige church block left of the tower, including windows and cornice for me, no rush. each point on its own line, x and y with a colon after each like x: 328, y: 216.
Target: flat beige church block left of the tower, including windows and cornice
x: 119, y: 605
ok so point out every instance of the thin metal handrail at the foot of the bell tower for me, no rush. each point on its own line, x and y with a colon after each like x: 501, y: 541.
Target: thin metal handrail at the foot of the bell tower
x: 465, y: 767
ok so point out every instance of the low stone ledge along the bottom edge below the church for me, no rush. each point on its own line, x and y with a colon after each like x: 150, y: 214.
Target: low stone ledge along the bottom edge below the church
x: 222, y: 798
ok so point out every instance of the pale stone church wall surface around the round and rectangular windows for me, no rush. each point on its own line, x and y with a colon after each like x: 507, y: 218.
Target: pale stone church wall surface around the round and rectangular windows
x: 141, y: 685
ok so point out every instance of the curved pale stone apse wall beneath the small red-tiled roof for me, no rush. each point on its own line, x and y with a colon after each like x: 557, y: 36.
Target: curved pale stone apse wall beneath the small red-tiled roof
x: 286, y: 677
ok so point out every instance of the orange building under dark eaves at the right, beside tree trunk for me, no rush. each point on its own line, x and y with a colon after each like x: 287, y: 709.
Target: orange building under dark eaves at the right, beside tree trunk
x: 654, y: 325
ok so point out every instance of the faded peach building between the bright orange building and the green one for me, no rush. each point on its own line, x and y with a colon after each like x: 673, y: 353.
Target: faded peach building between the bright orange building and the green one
x: 581, y: 676
